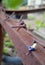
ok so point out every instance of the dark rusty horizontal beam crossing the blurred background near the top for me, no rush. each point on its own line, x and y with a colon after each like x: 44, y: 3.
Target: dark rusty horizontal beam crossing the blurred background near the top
x: 26, y: 11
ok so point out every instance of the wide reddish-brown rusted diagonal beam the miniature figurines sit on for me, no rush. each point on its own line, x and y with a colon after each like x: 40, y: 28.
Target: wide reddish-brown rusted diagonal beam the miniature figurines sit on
x: 22, y: 39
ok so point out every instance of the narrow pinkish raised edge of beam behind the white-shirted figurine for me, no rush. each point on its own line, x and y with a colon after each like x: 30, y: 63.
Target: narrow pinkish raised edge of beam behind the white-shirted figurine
x: 37, y: 39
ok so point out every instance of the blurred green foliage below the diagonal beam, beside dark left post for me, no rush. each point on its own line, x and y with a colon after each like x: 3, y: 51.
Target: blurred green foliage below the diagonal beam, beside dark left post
x: 7, y: 44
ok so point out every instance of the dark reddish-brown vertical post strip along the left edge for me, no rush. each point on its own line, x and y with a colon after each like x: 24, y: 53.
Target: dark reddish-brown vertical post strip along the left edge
x: 1, y: 42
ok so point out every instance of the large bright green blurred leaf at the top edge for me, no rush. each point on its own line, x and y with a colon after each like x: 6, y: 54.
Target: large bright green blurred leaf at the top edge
x: 12, y: 4
